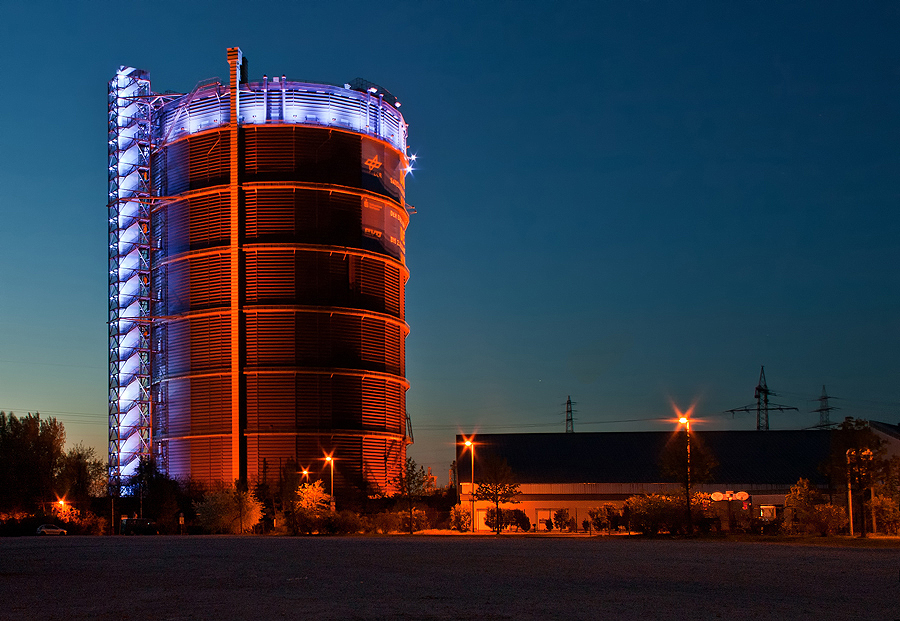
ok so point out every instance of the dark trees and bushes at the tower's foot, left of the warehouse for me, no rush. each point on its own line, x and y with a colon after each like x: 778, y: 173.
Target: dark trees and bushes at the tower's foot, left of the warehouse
x: 41, y: 481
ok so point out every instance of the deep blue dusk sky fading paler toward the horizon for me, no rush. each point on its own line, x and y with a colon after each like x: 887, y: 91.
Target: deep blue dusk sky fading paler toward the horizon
x: 632, y: 203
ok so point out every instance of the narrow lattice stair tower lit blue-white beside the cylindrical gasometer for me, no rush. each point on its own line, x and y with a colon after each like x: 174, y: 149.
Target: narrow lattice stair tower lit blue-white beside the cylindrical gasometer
x: 129, y: 274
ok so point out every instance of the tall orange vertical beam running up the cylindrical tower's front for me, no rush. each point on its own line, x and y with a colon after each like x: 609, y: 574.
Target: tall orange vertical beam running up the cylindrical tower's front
x: 235, y: 60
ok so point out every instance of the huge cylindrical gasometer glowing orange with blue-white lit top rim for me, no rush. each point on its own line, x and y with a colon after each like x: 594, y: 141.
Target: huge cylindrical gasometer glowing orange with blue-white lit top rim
x: 277, y: 271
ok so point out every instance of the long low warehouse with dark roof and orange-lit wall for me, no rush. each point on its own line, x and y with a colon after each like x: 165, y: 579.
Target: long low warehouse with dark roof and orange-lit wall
x: 579, y: 471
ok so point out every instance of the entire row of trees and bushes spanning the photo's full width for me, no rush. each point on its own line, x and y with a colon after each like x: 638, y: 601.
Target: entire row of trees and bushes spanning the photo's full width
x: 36, y: 472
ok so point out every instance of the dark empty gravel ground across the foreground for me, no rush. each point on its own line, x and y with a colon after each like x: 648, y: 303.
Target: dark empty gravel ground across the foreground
x: 427, y: 577
